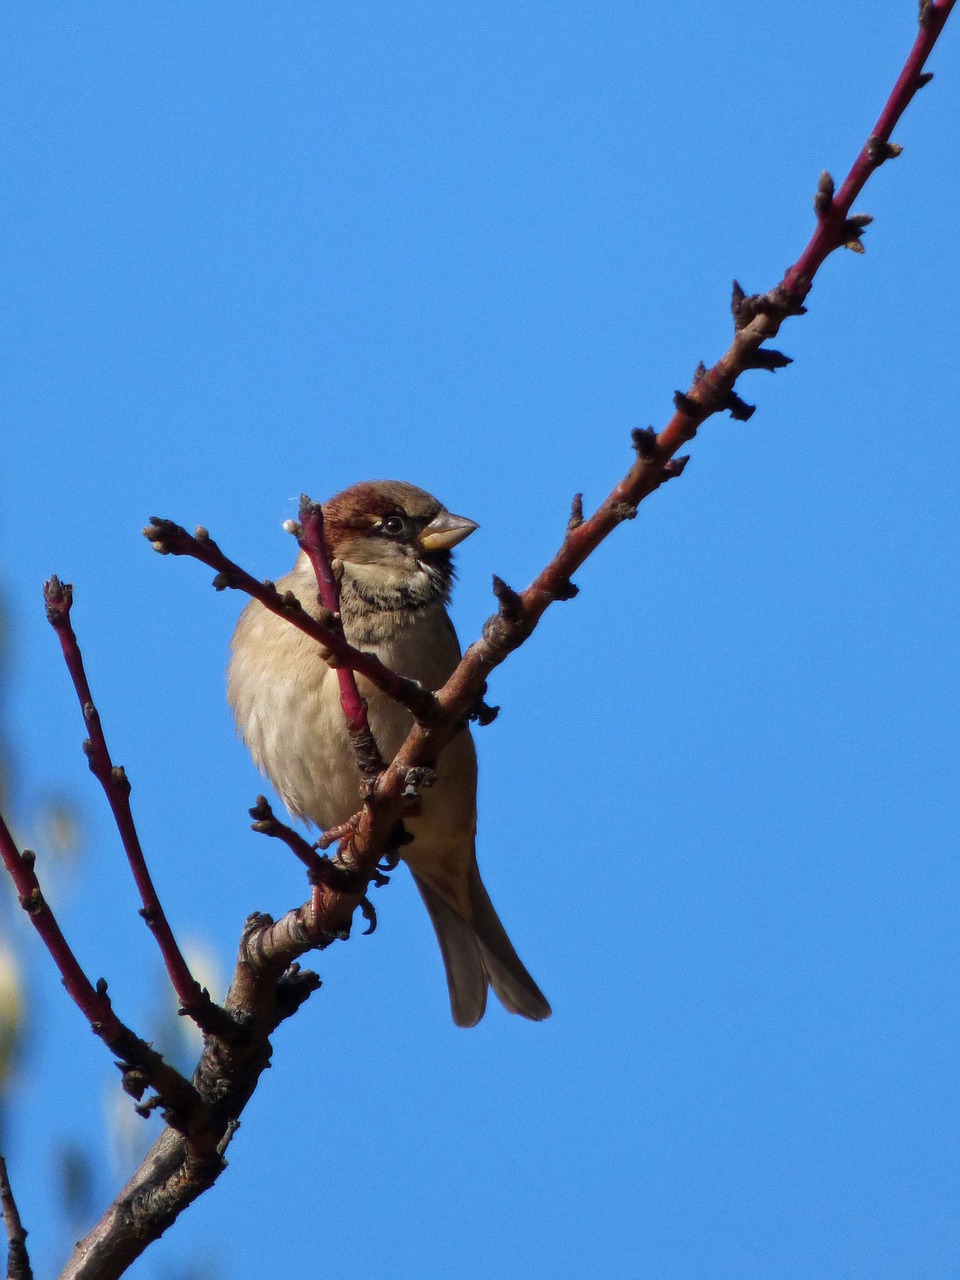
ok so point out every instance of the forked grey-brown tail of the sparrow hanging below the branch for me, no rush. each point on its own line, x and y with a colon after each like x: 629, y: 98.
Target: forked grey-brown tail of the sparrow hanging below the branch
x: 478, y: 953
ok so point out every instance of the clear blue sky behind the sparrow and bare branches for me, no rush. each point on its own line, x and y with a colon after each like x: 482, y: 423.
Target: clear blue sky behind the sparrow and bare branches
x: 255, y: 250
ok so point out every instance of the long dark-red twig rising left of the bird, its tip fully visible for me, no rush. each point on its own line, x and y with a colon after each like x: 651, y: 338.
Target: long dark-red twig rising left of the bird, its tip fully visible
x: 195, y: 1000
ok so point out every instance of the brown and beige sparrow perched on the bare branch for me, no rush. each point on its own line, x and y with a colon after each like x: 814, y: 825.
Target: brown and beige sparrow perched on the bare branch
x: 391, y: 543
